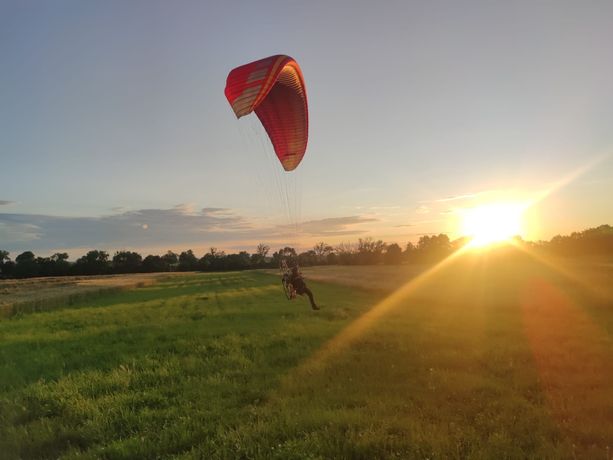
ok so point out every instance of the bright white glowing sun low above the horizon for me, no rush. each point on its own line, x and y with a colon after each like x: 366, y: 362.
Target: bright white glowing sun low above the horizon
x: 492, y: 223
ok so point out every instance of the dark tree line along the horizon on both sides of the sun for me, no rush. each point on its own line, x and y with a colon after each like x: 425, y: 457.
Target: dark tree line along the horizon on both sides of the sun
x: 367, y: 251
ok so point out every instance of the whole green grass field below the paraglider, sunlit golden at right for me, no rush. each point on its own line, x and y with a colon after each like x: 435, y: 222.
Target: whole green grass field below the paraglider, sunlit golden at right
x: 479, y: 358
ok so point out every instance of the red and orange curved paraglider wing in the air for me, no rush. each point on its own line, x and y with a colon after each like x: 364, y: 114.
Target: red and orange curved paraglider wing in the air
x: 274, y: 89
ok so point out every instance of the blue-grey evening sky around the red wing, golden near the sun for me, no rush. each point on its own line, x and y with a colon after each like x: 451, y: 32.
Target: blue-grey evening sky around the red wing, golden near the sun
x: 115, y: 132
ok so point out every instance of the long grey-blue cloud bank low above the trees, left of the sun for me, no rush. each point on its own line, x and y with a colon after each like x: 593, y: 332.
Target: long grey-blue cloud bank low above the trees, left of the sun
x: 178, y: 227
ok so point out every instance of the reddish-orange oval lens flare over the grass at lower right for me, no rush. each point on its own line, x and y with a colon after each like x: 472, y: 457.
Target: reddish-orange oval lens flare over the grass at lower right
x: 571, y: 356
